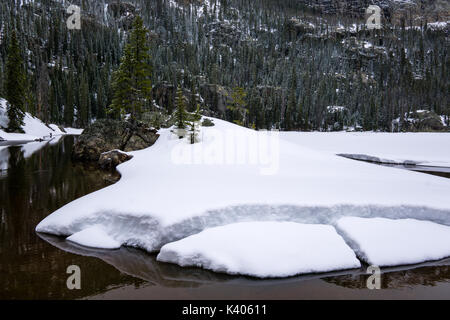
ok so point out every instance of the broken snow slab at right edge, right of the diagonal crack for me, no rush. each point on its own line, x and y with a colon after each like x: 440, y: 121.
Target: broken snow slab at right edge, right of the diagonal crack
x: 388, y: 242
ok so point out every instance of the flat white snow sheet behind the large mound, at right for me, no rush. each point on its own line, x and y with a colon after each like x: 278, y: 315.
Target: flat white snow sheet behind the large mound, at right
x: 395, y: 148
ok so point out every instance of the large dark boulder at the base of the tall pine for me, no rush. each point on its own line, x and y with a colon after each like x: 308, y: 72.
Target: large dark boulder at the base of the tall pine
x: 106, y: 135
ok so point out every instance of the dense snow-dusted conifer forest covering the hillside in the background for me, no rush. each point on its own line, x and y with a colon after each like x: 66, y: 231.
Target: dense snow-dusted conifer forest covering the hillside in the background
x: 289, y: 65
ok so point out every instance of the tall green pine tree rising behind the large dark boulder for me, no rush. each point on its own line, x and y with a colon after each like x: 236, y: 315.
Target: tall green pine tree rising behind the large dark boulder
x: 131, y: 82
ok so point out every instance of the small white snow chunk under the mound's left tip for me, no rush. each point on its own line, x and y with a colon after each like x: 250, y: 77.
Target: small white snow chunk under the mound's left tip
x: 94, y: 237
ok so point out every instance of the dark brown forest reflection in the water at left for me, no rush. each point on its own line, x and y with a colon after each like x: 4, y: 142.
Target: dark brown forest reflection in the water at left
x: 29, y: 191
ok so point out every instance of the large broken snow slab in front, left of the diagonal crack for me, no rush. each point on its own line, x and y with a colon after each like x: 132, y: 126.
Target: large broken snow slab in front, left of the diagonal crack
x: 263, y: 249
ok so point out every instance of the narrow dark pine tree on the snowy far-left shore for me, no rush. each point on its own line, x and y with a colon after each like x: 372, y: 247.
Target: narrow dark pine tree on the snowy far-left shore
x: 15, y: 86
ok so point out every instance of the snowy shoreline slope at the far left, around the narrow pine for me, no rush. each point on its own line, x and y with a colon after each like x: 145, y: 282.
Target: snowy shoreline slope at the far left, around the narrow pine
x: 34, y: 128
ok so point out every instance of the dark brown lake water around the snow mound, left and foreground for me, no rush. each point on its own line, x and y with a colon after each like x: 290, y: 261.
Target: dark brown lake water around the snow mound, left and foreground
x: 40, y: 178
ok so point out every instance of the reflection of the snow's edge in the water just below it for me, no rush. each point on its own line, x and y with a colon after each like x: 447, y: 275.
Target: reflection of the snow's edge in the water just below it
x: 142, y: 265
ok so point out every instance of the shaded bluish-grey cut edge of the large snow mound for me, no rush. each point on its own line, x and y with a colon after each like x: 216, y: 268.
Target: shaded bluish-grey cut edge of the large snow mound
x: 147, y: 232
